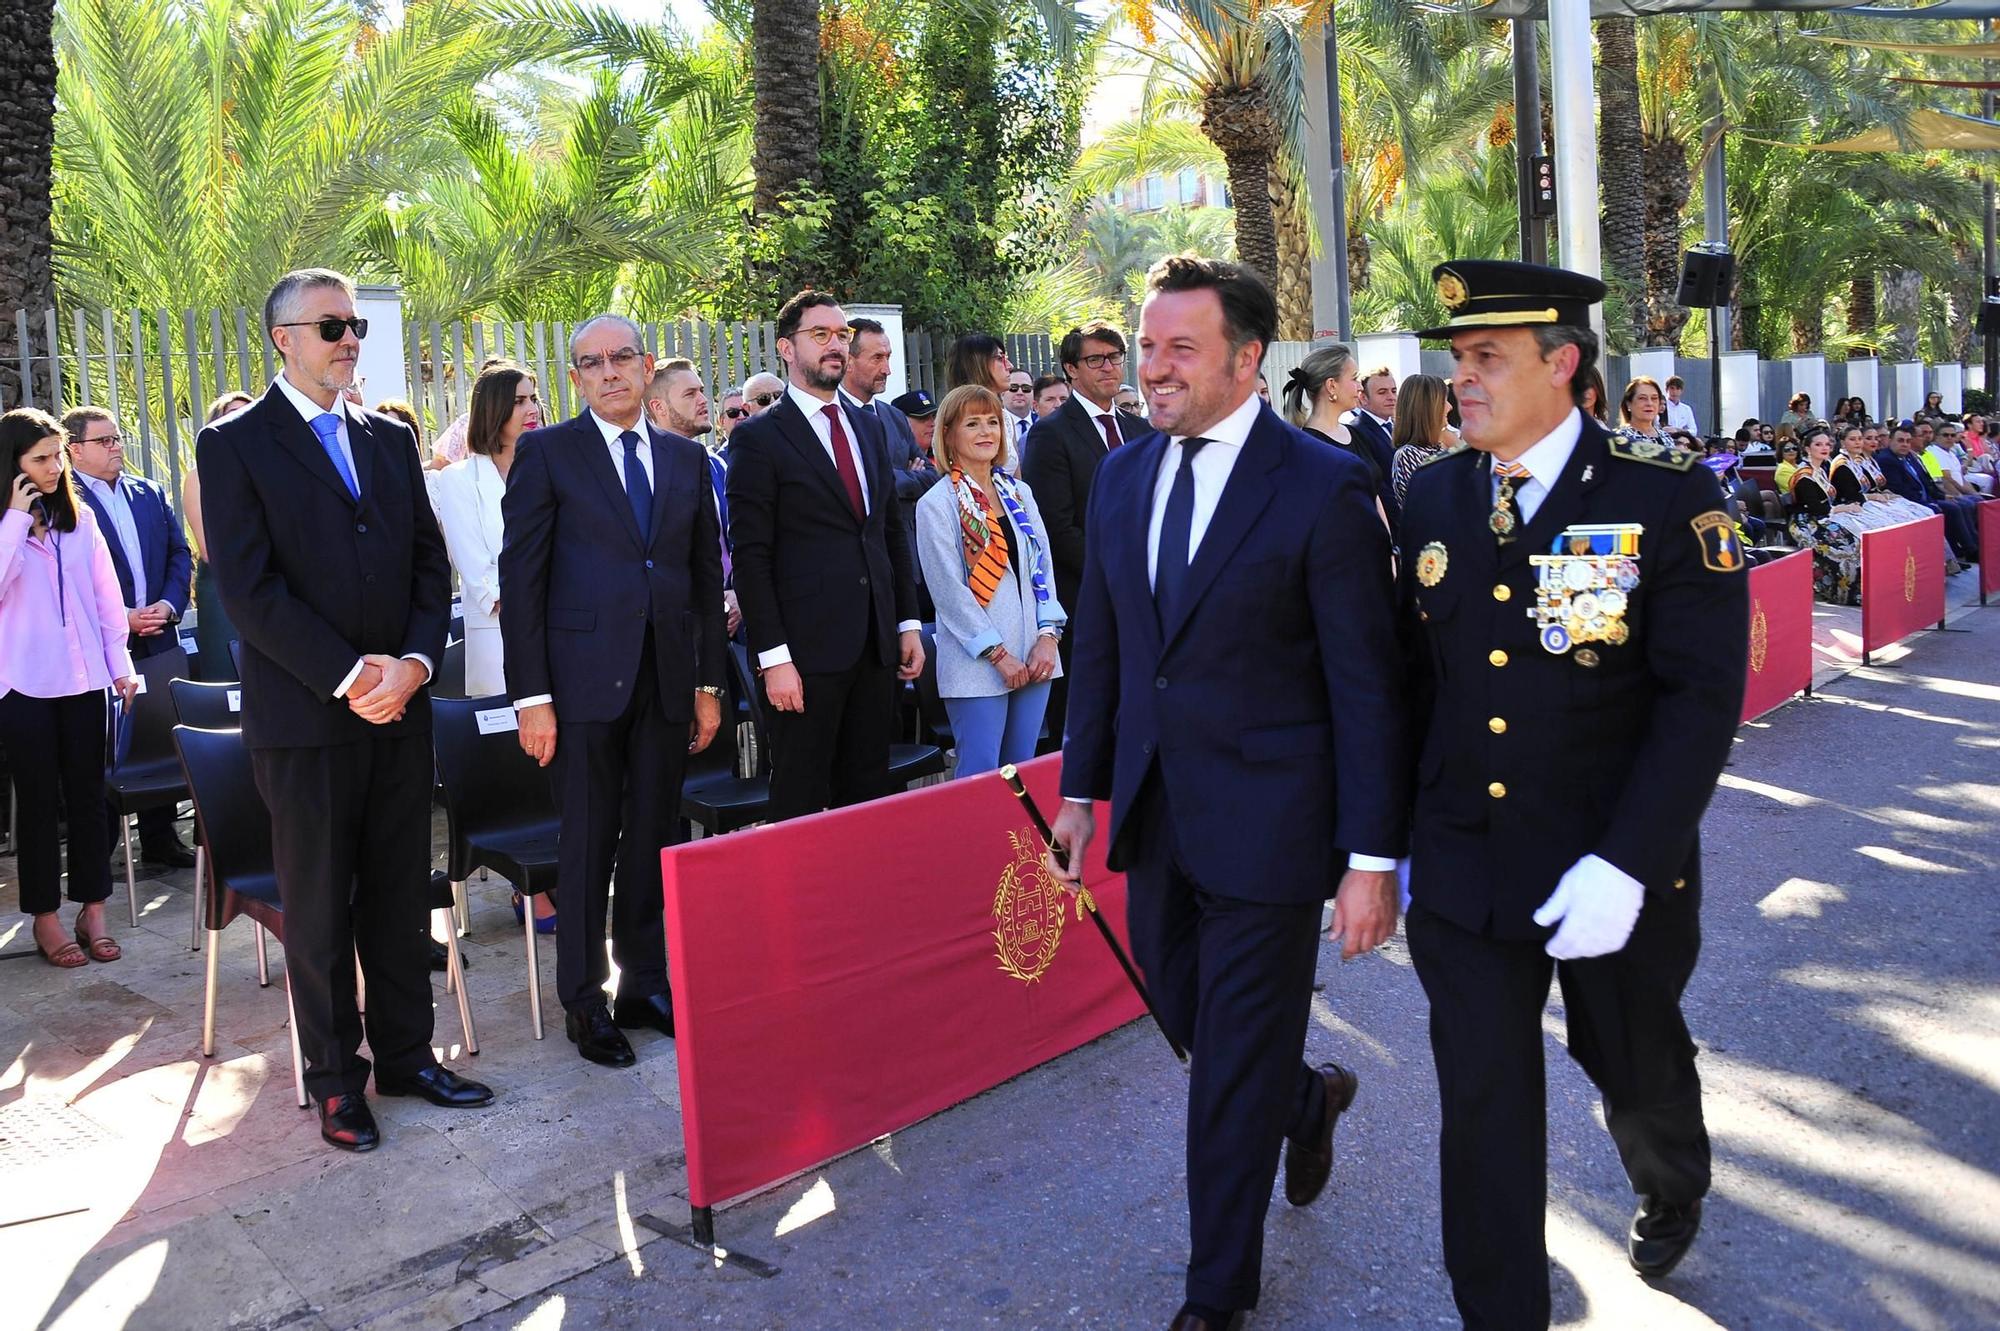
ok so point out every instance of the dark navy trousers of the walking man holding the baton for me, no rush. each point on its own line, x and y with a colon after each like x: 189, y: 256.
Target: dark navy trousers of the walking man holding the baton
x: 1233, y: 982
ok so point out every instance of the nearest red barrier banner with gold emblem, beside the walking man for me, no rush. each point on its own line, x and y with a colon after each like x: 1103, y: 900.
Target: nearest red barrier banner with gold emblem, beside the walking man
x: 843, y: 976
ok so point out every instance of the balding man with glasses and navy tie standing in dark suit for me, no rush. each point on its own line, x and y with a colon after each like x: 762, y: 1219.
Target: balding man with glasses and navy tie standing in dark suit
x: 611, y: 609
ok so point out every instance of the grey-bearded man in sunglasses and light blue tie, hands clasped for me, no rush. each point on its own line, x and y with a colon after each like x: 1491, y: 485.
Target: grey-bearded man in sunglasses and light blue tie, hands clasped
x: 335, y: 575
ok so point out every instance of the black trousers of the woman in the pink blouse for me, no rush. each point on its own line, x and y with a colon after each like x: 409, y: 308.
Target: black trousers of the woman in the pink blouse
x: 55, y: 750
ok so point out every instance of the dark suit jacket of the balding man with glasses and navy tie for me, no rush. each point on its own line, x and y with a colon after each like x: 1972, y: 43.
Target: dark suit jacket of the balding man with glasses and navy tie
x: 579, y: 587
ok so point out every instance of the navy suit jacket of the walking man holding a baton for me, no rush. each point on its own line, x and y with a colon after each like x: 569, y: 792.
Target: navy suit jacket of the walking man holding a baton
x: 1273, y: 708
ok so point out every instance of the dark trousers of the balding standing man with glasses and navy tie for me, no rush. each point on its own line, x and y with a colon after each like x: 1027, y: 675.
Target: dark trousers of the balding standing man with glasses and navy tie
x: 619, y: 796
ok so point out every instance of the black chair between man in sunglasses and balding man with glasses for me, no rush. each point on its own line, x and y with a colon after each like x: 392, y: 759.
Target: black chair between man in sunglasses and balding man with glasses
x: 499, y: 810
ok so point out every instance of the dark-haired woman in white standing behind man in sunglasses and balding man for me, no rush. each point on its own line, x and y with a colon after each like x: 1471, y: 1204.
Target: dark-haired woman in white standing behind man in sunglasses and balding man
x: 469, y: 509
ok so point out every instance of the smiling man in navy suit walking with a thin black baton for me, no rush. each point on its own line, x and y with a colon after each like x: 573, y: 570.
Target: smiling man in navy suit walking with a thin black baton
x: 1237, y: 698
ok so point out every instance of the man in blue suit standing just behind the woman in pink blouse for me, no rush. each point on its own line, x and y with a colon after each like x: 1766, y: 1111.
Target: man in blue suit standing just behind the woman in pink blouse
x: 155, y: 573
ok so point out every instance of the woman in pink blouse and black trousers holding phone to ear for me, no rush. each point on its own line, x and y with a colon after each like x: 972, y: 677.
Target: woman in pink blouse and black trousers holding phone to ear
x: 63, y: 641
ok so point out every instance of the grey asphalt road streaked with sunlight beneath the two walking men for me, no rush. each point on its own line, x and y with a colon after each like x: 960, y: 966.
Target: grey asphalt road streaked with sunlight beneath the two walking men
x: 1849, y: 1018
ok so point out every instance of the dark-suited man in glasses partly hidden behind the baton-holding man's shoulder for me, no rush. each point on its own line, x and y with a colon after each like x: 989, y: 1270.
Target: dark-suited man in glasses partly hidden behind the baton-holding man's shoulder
x: 1061, y: 463
